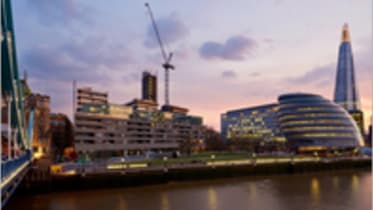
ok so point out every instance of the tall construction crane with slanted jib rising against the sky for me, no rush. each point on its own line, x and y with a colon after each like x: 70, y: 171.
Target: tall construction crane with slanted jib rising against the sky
x: 167, y: 57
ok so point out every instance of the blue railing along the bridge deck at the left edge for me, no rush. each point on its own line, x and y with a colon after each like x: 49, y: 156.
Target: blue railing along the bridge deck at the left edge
x: 8, y: 167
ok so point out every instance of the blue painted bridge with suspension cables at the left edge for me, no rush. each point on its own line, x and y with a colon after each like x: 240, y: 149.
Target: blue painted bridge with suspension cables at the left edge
x: 16, y: 153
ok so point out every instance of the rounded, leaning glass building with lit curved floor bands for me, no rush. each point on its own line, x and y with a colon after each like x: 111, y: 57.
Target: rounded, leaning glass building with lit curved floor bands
x: 311, y: 122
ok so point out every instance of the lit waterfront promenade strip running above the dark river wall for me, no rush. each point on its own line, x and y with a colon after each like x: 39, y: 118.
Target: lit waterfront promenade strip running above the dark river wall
x: 165, y: 164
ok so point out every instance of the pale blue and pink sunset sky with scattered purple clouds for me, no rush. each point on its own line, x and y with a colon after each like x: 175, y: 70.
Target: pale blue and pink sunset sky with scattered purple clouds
x: 227, y: 55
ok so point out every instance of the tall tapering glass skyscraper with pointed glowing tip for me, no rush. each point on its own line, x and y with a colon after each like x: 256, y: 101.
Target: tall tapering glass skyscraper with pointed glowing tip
x: 346, y: 93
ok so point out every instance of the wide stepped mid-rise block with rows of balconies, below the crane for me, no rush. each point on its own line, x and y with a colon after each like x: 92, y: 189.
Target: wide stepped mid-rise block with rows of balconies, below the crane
x: 104, y: 129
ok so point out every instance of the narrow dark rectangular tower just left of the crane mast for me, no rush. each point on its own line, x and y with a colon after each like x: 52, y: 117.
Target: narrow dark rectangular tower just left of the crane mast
x: 149, y: 86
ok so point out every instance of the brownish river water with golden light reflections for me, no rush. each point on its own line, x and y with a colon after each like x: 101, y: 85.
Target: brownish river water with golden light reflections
x: 339, y: 190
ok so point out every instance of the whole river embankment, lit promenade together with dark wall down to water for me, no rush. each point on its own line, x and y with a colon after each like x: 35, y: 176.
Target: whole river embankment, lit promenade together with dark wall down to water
x: 91, y: 176
